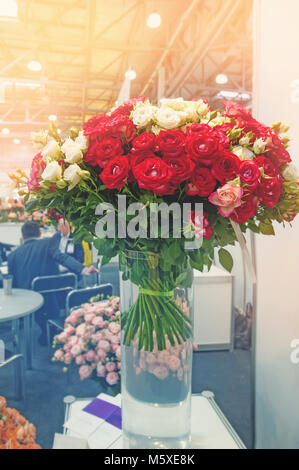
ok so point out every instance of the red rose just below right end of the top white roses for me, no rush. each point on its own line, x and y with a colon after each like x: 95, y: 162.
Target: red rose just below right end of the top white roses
x: 203, y: 143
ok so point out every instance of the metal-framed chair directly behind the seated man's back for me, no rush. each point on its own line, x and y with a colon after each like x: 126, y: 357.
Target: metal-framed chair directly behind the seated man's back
x: 57, y: 285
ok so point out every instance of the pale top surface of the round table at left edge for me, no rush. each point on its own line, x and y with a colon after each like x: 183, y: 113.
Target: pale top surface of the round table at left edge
x: 22, y: 302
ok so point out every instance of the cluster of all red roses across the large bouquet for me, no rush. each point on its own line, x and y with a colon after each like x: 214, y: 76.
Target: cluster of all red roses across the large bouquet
x: 201, y: 157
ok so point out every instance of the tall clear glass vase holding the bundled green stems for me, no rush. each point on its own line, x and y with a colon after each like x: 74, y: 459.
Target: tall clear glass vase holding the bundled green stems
x: 156, y: 305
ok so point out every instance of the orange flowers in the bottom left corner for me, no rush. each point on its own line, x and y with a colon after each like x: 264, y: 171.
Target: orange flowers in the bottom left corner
x: 15, y: 431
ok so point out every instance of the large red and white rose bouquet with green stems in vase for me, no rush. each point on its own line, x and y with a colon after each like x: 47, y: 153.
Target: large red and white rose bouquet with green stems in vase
x: 180, y: 152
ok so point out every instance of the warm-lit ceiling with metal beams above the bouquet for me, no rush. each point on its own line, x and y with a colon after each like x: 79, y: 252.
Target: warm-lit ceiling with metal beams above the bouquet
x: 86, y: 46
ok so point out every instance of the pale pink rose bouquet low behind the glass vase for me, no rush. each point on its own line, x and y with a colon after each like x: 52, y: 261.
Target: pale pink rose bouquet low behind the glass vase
x: 91, y: 340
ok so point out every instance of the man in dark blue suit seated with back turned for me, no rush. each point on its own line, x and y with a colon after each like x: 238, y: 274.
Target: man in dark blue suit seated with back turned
x: 40, y: 257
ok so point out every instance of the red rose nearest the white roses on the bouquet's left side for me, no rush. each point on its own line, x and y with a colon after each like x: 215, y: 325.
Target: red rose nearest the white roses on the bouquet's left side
x: 99, y: 153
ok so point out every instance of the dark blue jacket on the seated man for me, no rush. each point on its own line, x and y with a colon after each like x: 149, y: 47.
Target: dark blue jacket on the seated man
x: 38, y: 257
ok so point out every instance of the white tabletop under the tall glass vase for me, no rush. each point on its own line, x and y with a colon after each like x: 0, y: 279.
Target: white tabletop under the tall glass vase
x: 210, y: 429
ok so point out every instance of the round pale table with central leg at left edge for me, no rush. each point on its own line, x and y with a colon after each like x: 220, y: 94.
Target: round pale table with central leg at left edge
x: 21, y: 304
